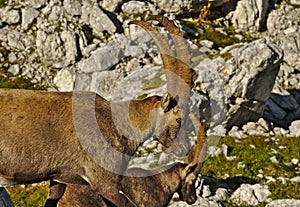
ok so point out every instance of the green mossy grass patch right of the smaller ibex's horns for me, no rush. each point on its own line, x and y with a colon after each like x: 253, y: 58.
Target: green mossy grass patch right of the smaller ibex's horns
x: 254, y: 154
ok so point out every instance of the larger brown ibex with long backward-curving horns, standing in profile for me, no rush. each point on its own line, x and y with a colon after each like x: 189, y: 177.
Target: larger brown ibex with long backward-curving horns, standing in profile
x: 51, y: 135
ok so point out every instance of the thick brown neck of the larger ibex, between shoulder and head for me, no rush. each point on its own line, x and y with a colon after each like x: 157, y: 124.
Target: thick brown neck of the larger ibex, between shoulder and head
x: 132, y: 122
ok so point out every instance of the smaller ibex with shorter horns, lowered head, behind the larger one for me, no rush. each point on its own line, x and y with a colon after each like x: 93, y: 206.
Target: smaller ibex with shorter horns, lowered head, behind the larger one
x: 155, y: 190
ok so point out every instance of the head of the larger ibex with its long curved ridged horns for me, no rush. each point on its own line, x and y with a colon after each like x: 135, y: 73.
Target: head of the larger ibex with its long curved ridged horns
x: 179, y: 83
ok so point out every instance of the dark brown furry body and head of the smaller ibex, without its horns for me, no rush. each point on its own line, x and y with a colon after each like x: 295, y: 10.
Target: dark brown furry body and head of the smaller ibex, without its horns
x: 155, y: 191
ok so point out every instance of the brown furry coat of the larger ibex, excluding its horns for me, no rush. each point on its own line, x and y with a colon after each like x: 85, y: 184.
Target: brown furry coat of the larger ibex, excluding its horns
x: 39, y: 141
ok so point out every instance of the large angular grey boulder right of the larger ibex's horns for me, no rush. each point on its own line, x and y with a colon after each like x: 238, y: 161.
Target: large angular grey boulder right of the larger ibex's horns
x: 249, y: 77
